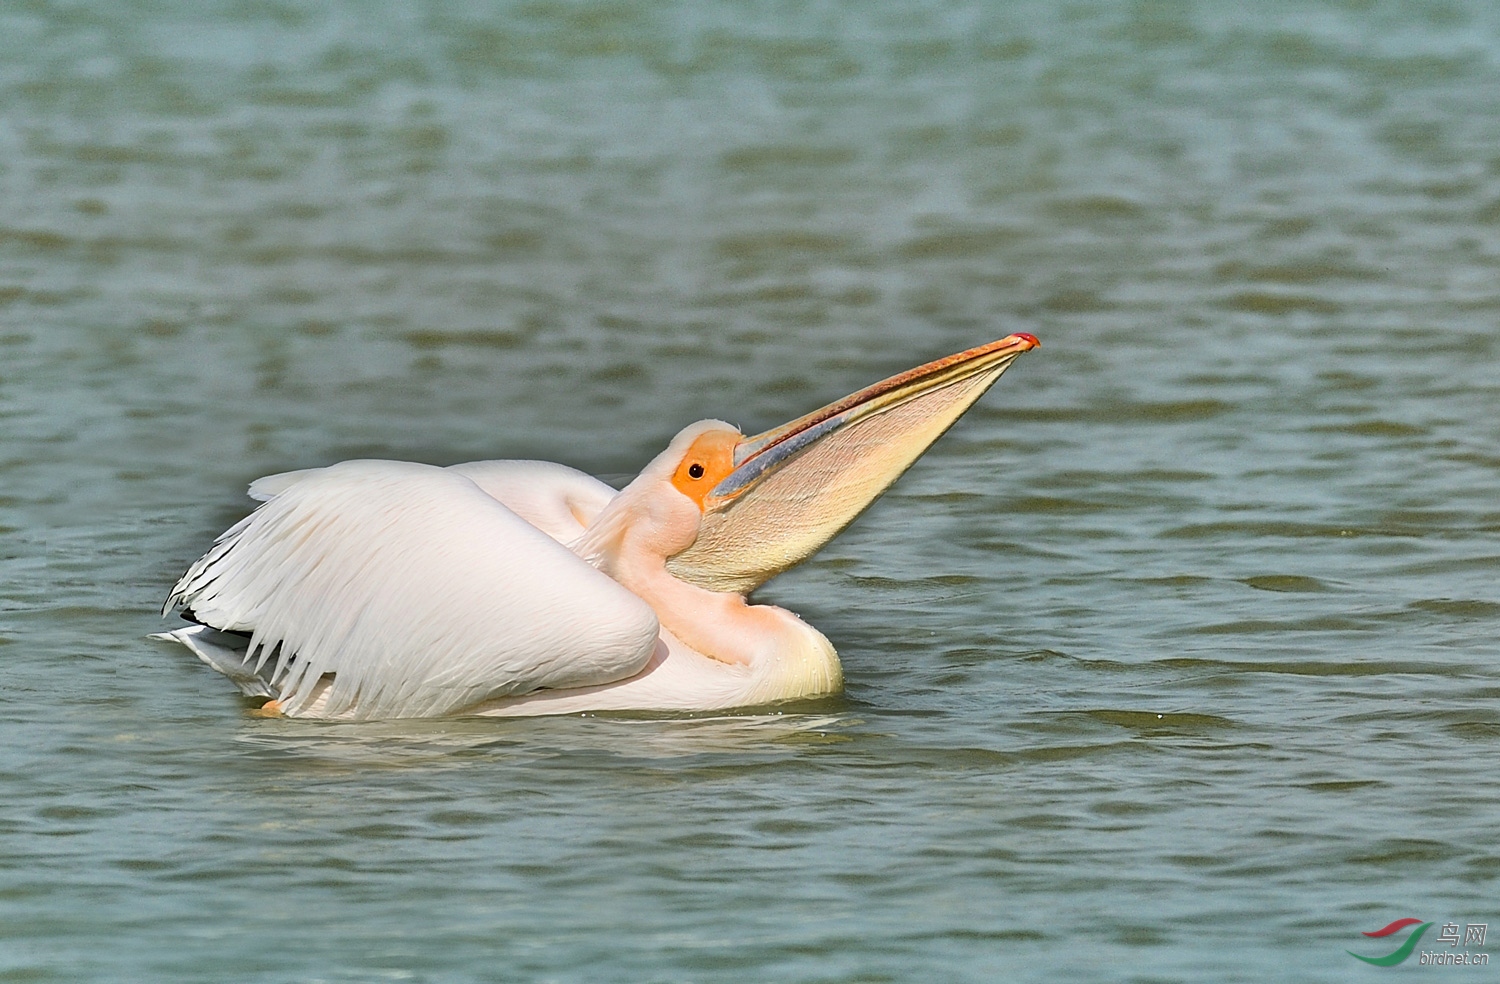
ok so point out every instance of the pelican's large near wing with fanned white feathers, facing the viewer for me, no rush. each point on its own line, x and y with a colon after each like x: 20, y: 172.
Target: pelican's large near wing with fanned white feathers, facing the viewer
x: 416, y: 590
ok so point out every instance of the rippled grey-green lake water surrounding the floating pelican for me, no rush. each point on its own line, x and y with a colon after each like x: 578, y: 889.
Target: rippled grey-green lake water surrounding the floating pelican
x: 1175, y: 661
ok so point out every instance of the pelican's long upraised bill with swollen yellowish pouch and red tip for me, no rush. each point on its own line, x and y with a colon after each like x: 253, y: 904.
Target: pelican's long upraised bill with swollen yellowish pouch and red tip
x: 797, y: 487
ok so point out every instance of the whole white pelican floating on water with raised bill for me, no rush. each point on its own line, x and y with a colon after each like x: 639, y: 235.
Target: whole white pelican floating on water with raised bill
x: 374, y: 589
